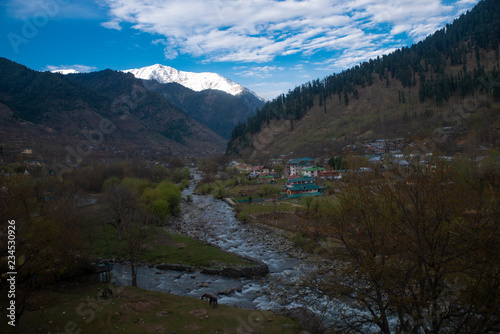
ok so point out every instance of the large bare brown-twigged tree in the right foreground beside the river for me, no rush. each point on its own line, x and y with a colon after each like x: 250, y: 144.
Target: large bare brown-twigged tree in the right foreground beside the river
x: 416, y: 253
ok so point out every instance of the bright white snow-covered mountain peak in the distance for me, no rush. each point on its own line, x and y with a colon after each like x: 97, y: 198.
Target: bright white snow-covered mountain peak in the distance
x: 191, y: 80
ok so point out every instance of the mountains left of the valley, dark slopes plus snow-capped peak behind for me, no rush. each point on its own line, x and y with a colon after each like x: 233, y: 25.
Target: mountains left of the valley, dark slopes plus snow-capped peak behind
x: 52, y: 113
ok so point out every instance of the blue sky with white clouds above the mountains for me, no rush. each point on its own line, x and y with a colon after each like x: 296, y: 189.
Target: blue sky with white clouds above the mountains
x: 268, y: 46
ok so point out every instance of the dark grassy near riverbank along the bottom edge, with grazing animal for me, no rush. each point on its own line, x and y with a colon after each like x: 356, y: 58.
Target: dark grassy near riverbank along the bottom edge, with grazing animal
x: 131, y: 310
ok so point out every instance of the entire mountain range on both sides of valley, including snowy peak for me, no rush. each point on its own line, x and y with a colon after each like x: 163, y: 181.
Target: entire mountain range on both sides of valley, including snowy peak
x: 449, y: 80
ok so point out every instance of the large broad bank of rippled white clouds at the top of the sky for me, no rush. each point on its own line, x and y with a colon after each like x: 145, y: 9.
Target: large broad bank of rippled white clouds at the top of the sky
x: 260, y: 30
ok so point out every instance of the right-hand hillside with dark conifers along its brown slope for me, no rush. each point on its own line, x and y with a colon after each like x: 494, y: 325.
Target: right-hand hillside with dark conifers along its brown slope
x: 410, y: 92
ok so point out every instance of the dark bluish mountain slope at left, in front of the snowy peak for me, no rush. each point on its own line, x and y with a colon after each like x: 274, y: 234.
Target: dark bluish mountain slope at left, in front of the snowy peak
x: 53, y: 113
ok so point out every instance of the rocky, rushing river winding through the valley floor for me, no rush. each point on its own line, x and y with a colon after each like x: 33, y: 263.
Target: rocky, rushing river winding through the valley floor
x: 214, y: 221
